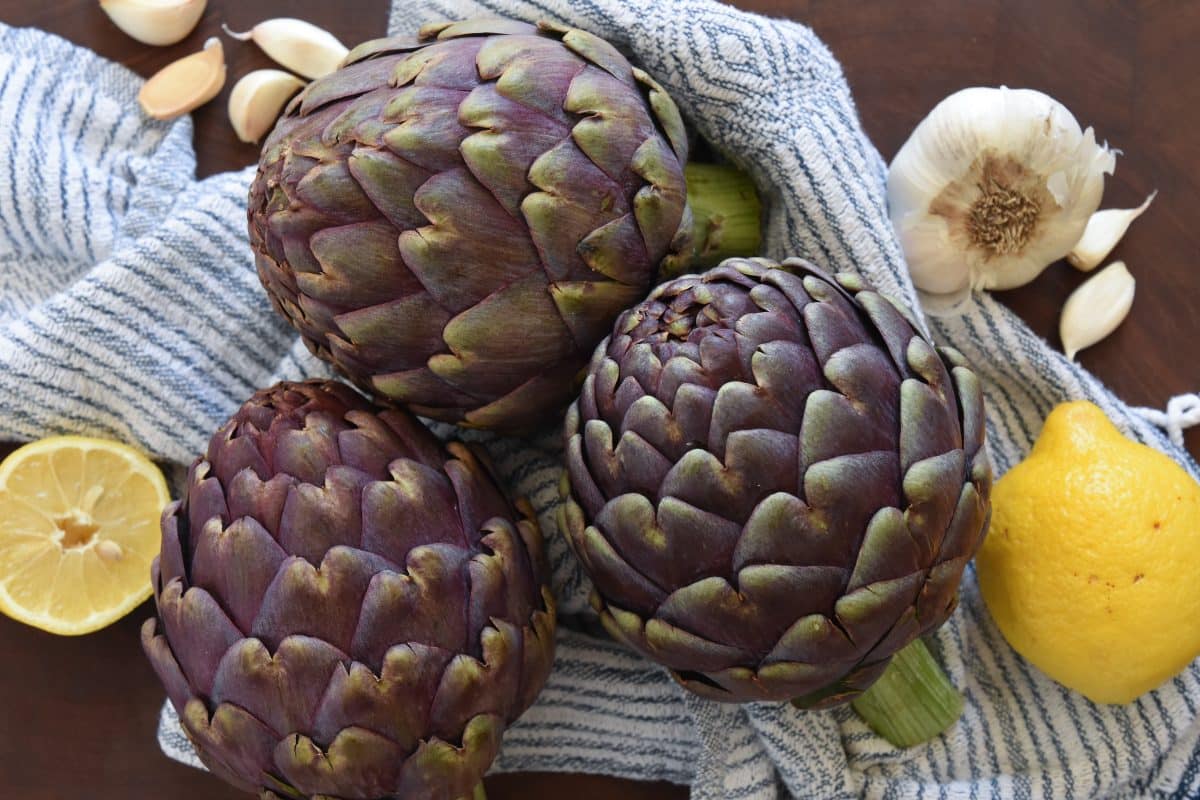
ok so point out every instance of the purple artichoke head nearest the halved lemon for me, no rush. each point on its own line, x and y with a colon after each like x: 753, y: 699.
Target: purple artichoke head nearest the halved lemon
x: 346, y: 609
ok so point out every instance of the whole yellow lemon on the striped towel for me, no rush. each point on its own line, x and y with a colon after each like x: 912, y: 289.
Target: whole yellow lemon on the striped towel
x: 1091, y: 564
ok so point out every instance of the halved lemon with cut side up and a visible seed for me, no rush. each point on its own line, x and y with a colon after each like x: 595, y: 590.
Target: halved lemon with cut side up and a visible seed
x: 79, y: 531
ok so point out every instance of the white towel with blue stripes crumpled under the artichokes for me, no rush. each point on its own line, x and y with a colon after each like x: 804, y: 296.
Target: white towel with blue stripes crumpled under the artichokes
x: 130, y: 309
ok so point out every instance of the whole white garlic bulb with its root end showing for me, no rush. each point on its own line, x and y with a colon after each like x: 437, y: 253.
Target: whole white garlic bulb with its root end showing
x: 991, y: 189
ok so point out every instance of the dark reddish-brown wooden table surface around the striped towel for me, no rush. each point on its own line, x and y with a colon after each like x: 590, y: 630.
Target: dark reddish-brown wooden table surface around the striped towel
x: 77, y: 717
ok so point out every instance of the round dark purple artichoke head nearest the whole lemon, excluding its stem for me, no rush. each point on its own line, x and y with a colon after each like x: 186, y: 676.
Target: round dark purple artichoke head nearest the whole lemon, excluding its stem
x: 775, y: 482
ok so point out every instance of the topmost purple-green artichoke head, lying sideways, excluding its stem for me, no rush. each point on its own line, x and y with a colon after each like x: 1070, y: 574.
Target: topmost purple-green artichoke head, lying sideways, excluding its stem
x: 455, y: 222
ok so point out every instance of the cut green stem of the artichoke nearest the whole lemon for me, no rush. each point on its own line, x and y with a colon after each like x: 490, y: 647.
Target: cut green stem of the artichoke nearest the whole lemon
x: 914, y: 701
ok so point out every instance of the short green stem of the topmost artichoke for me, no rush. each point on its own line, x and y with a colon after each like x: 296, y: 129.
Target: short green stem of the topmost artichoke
x: 727, y: 216
